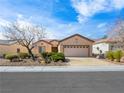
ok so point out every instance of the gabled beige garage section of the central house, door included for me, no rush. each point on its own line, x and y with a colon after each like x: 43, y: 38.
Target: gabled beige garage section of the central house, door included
x: 76, y: 46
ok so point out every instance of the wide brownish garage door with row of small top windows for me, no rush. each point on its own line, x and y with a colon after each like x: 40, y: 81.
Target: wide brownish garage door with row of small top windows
x: 76, y: 50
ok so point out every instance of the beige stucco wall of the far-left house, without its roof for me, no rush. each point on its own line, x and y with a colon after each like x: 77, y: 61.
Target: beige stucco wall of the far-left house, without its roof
x: 12, y: 48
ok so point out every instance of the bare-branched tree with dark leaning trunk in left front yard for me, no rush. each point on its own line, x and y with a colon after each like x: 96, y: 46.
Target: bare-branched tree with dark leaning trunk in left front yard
x: 24, y: 34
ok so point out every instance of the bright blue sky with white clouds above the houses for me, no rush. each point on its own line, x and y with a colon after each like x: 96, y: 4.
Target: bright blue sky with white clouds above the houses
x: 62, y: 18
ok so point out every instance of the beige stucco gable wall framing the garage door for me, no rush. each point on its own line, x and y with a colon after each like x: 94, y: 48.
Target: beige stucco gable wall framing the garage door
x: 75, y: 40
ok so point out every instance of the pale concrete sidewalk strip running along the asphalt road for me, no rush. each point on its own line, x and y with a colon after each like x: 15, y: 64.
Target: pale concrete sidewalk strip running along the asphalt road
x: 60, y: 68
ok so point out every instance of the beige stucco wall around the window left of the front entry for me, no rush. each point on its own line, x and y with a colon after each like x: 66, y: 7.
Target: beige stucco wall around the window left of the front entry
x: 48, y: 47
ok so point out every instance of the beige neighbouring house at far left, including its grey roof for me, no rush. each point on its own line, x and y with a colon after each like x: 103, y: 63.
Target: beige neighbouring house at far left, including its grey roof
x: 10, y: 46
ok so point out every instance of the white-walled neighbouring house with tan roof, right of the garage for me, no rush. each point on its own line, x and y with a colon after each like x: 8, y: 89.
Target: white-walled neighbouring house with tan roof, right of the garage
x: 102, y: 46
